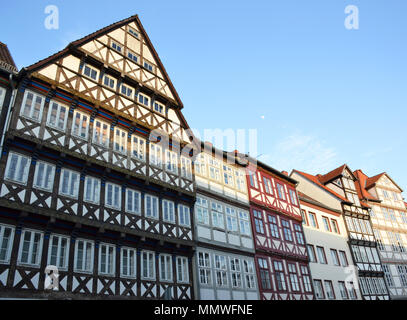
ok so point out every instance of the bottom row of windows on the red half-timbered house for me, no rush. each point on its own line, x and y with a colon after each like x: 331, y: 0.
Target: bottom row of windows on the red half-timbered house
x: 280, y: 277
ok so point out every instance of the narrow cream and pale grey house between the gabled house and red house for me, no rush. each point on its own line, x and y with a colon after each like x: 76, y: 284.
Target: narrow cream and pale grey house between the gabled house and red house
x: 225, y: 249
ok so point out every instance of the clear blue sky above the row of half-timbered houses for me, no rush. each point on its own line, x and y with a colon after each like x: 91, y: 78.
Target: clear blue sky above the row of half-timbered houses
x: 320, y: 95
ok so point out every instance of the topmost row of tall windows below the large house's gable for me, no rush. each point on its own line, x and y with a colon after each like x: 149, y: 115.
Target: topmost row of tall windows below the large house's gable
x: 57, y: 118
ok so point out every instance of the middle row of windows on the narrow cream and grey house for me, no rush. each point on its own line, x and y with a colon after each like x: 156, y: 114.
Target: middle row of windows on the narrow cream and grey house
x: 217, y: 215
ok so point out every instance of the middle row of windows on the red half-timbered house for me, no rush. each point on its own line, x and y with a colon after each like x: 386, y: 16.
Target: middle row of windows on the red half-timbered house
x: 274, y: 229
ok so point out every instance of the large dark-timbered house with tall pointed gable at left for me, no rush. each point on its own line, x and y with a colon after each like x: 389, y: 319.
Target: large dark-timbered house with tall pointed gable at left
x: 85, y: 186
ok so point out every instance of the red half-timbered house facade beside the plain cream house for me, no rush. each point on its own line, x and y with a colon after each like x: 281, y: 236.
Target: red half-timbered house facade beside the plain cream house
x: 281, y: 257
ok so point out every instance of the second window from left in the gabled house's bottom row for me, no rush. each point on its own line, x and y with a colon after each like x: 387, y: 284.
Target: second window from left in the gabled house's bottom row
x: 30, y: 248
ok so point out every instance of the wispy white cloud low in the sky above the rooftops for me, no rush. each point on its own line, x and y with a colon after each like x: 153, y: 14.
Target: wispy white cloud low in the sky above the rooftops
x: 302, y: 152
